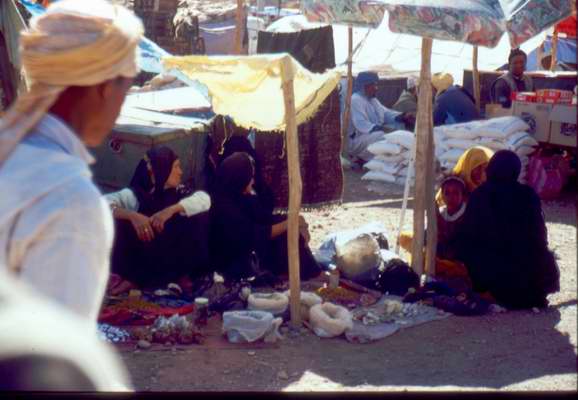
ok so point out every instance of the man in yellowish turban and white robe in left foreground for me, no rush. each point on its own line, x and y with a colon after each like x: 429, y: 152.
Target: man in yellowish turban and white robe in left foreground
x: 56, y: 230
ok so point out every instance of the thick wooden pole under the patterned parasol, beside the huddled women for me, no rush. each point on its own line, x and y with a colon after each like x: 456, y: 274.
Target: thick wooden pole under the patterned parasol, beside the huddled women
x: 423, y: 128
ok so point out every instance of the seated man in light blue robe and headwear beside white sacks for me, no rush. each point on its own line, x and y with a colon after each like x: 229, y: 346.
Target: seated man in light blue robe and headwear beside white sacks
x: 369, y: 118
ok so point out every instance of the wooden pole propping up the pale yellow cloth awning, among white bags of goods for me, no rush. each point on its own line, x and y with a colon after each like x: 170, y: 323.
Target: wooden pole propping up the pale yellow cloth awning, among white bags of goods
x: 295, y: 189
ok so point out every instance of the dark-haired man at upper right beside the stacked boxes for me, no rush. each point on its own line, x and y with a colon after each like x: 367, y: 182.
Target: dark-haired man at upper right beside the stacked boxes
x: 513, y: 81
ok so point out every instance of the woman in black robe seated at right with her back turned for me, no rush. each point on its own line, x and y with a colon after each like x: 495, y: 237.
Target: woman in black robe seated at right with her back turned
x: 503, y: 239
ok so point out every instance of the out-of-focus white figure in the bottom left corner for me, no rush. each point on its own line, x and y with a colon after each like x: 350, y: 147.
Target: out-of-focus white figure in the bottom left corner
x: 45, y: 347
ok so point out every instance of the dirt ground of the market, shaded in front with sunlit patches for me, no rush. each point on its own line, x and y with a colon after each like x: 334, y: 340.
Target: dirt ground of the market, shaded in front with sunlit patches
x: 512, y: 351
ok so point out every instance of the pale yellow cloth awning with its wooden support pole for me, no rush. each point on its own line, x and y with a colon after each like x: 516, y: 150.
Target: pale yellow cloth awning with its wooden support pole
x: 243, y: 88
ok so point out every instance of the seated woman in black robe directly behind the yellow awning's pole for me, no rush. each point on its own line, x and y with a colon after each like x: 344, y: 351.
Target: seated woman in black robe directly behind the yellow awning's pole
x: 245, y: 240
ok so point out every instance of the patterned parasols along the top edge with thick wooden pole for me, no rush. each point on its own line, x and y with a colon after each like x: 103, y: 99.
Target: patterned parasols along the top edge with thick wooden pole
x: 470, y: 22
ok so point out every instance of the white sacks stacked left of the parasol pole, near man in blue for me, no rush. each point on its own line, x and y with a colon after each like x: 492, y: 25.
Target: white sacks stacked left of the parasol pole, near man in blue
x: 392, y: 156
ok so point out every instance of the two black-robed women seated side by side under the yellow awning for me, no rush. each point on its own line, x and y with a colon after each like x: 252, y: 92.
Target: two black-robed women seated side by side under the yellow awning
x: 166, y: 234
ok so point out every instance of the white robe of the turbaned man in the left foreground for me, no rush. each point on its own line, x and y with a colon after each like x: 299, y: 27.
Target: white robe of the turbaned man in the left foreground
x: 56, y: 229
